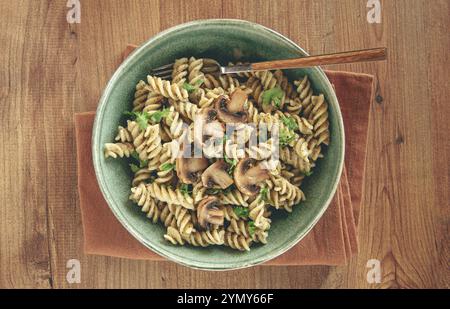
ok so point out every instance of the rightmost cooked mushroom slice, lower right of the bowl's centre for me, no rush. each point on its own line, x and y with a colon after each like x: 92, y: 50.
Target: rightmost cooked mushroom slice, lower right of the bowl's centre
x: 248, y: 174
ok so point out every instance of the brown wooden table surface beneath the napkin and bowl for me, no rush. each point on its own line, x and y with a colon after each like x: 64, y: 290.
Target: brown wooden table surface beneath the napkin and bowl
x: 50, y: 69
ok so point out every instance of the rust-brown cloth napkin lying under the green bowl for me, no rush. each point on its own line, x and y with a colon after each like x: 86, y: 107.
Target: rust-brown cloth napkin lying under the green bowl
x: 333, y: 239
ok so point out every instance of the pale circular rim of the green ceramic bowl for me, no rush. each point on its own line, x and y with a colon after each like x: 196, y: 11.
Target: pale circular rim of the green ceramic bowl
x: 213, y: 266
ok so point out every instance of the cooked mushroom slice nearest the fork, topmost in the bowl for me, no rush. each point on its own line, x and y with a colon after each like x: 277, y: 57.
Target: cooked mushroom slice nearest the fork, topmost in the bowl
x: 231, y: 110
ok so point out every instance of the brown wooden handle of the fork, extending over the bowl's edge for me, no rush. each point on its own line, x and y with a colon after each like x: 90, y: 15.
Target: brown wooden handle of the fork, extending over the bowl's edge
x: 374, y: 54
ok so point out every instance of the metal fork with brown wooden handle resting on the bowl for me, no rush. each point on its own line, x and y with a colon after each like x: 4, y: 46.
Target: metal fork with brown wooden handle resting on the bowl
x: 211, y: 66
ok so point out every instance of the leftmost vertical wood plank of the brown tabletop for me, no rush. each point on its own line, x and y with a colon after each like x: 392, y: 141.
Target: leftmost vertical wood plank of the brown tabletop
x: 24, y: 255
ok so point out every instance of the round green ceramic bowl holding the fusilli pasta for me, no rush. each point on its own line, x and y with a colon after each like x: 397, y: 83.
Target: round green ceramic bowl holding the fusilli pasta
x: 225, y: 40
